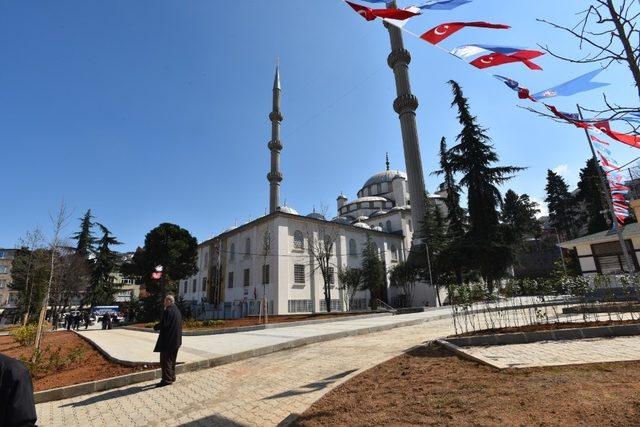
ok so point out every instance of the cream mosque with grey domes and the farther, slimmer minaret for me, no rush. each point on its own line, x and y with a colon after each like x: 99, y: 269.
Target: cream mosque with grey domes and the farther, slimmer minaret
x: 272, y: 258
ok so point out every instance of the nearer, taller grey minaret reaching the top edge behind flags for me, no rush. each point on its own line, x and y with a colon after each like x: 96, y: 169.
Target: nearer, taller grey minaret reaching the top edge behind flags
x: 405, y: 105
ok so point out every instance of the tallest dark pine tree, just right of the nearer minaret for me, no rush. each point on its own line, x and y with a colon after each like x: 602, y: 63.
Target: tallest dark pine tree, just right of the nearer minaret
x: 473, y: 157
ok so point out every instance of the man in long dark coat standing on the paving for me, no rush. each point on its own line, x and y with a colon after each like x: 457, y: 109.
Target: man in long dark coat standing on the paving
x: 169, y: 340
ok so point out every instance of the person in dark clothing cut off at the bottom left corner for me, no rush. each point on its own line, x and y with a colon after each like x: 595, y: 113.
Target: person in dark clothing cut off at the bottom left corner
x: 17, y: 407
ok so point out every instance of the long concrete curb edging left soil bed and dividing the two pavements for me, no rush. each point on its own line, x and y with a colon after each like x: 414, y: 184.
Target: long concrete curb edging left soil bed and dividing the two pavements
x: 138, y: 377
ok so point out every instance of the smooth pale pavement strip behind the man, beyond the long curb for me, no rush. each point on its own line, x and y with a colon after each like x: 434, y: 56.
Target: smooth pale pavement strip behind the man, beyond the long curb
x: 135, y: 346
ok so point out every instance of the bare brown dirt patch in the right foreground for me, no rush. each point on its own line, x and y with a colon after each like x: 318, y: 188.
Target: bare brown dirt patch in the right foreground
x: 431, y: 386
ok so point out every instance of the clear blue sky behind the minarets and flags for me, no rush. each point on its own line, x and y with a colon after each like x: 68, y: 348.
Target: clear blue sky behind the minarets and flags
x: 151, y: 111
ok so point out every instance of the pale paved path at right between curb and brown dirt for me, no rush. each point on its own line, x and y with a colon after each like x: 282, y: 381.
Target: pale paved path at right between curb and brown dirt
x: 555, y: 353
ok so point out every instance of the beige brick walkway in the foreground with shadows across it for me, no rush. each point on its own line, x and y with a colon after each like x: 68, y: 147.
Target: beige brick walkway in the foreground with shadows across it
x: 260, y: 391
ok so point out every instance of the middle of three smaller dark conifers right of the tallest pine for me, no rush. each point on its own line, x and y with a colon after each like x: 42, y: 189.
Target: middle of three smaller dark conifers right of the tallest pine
x: 561, y: 205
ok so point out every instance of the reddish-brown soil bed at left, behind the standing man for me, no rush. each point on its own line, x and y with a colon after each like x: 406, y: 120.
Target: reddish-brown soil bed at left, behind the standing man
x: 93, y: 366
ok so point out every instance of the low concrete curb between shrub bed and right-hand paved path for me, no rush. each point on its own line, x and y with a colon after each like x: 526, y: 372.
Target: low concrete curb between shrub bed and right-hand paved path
x: 553, y: 335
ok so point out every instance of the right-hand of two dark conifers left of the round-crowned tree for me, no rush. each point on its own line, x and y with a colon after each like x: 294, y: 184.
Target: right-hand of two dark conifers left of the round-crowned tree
x: 103, y: 289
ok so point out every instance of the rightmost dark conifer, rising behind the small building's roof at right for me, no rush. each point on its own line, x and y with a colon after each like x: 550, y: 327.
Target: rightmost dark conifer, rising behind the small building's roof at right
x: 591, y: 194
